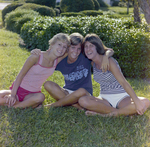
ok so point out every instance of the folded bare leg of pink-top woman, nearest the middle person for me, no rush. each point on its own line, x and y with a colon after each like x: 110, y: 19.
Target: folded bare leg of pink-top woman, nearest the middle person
x: 31, y: 100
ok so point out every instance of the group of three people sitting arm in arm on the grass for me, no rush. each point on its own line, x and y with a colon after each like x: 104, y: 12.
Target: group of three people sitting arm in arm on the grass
x: 116, y: 95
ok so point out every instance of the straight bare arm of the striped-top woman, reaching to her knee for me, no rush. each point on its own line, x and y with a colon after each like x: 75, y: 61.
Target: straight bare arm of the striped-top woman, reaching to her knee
x: 123, y: 82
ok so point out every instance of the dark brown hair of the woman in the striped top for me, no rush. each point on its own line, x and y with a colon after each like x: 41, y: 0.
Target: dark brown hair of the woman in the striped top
x: 94, y: 39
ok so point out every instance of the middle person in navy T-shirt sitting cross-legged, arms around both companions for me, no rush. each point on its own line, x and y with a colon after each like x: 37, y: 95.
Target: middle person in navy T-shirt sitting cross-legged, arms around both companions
x: 76, y: 69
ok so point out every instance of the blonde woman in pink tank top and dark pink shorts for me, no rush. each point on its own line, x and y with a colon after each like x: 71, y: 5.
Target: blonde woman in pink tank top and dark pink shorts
x: 26, y: 89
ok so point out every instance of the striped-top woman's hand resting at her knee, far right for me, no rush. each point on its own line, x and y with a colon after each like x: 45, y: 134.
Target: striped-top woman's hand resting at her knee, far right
x: 140, y: 107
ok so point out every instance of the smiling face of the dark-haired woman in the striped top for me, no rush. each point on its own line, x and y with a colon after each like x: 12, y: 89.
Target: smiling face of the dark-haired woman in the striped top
x: 90, y: 50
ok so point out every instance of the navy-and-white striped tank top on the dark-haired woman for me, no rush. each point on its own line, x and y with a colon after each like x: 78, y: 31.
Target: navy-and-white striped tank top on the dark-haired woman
x: 107, y: 81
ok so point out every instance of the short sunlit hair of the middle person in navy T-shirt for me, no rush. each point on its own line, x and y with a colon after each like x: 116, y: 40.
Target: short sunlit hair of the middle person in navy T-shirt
x: 76, y: 38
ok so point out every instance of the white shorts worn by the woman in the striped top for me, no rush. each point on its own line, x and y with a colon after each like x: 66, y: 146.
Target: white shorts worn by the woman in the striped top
x: 114, y: 99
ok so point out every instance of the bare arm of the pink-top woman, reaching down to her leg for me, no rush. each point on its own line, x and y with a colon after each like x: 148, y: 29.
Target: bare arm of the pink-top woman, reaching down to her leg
x: 28, y: 64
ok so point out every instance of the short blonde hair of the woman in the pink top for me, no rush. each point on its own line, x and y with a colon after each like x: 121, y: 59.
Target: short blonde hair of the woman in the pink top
x: 60, y: 37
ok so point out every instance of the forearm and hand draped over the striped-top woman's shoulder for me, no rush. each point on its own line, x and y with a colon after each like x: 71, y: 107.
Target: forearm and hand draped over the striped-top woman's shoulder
x: 105, y: 62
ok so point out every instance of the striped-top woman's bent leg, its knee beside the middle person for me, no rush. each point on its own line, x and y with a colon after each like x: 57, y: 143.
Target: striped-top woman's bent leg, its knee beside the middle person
x: 95, y: 105
